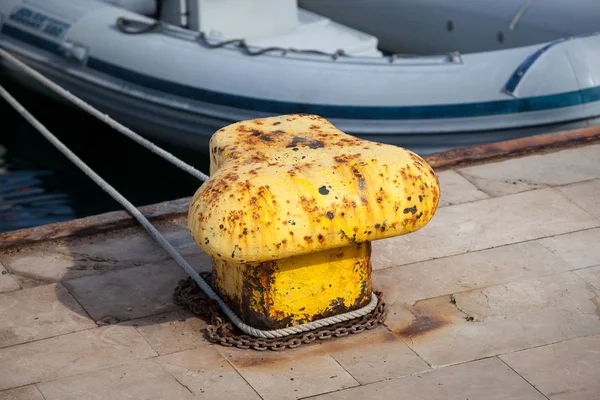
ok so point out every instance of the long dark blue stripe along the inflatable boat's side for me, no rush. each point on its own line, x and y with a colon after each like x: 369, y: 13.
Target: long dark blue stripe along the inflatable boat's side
x: 464, y: 110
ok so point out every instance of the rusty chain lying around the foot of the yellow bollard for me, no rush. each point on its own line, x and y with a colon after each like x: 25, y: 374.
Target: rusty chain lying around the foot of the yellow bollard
x: 188, y: 294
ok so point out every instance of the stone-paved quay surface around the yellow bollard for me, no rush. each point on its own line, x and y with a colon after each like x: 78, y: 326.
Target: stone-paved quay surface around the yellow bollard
x: 497, y: 298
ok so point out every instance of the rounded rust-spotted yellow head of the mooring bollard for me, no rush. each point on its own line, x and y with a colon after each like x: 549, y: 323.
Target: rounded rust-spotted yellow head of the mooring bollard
x: 295, y: 184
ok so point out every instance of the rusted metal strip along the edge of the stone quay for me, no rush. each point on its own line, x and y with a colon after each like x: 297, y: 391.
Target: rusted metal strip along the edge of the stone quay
x: 179, y: 208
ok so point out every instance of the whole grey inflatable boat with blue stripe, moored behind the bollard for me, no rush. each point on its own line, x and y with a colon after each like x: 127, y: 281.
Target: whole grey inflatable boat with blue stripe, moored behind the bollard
x: 425, y: 75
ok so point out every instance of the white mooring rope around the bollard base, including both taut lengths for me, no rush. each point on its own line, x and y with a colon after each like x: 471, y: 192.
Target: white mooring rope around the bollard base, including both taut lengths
x: 156, y: 235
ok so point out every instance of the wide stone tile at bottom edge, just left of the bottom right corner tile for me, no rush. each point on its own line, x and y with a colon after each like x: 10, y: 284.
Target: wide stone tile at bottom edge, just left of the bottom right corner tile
x: 488, y: 379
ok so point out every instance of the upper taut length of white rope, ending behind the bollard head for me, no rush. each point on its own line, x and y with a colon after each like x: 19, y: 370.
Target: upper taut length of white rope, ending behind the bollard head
x: 103, y: 117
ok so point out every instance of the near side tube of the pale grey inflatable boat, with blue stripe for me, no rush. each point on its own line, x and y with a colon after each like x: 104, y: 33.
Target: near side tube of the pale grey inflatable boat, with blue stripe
x: 171, y: 88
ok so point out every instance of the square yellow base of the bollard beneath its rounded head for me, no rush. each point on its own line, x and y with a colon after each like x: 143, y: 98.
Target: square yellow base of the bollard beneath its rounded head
x: 296, y: 290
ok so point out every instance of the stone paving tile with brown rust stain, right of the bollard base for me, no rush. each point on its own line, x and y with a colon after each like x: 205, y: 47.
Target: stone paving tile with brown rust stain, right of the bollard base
x: 499, y: 319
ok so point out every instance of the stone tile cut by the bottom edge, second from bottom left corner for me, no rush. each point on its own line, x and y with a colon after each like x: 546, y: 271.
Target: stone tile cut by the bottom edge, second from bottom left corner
x: 139, y: 380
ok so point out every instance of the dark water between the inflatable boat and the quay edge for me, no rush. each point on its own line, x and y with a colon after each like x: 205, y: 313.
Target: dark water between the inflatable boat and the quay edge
x: 39, y: 186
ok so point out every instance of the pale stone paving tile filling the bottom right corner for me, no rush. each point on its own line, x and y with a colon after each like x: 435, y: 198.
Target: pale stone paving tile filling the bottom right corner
x: 567, y: 370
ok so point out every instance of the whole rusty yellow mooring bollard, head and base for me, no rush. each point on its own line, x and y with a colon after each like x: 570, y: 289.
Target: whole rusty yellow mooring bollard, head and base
x: 290, y: 210
